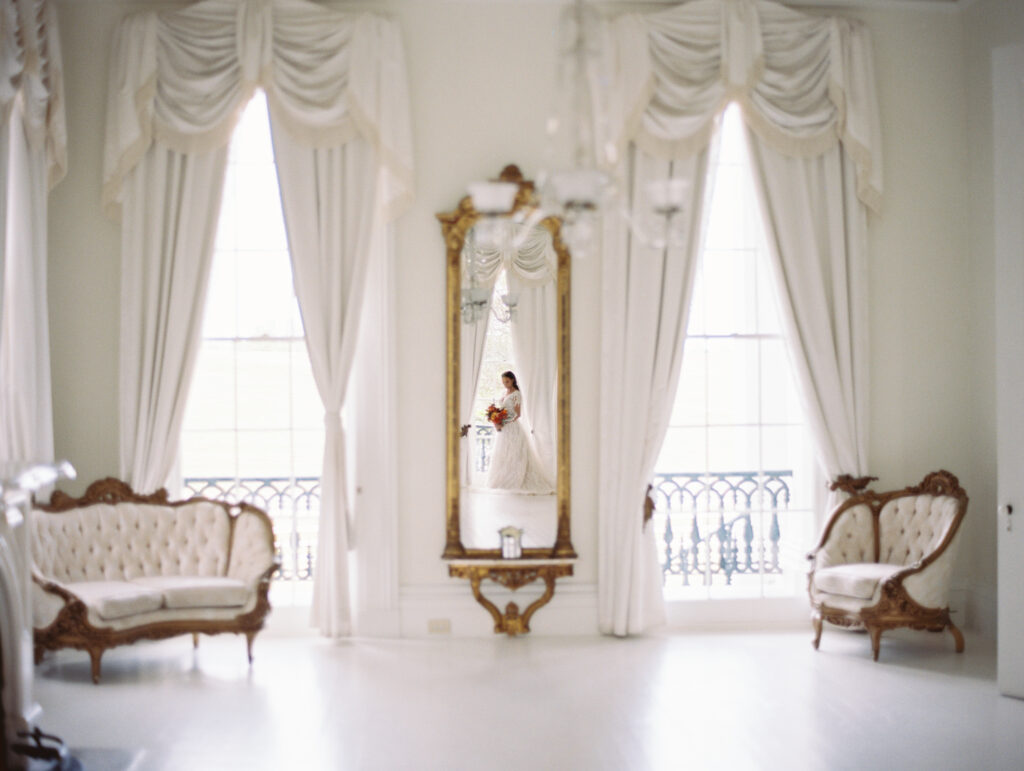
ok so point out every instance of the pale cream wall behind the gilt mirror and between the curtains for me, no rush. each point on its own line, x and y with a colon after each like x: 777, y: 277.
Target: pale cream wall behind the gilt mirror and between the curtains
x: 481, y: 81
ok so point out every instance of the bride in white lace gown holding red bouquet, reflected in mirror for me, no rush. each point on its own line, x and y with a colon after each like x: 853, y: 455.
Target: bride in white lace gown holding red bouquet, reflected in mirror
x: 515, y: 464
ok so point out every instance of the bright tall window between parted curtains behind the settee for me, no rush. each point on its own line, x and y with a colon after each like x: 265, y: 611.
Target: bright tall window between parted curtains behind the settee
x: 254, y: 426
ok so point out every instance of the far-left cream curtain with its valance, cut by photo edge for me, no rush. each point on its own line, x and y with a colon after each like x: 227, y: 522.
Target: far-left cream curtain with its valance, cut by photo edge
x: 33, y: 159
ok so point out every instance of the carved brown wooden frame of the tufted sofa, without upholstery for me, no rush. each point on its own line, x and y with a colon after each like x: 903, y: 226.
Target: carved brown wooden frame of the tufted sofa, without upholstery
x: 72, y: 627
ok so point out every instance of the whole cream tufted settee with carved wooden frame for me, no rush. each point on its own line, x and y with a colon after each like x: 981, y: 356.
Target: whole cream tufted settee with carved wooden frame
x: 114, y: 567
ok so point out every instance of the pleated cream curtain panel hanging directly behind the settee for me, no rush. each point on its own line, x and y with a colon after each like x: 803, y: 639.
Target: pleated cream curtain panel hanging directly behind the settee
x: 172, y: 211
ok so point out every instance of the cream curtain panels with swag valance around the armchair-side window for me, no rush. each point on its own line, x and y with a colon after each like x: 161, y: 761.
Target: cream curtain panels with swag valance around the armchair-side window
x: 806, y: 87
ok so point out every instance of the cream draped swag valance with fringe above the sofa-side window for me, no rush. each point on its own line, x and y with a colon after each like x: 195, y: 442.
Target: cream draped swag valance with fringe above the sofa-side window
x: 181, y: 78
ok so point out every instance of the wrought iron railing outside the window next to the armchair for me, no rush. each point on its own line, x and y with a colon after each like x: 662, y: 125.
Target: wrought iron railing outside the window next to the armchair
x: 719, y: 525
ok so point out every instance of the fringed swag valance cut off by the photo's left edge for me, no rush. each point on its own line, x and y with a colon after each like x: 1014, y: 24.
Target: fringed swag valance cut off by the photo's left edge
x: 30, y: 66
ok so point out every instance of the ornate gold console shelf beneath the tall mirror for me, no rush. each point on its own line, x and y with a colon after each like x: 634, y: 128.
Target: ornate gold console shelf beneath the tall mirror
x: 513, y: 575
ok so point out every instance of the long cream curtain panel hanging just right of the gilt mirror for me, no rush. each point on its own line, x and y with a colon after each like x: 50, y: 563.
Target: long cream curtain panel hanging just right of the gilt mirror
x: 645, y: 305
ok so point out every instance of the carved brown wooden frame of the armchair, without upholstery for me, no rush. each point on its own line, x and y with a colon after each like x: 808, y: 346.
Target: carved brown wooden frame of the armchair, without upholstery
x: 895, y: 608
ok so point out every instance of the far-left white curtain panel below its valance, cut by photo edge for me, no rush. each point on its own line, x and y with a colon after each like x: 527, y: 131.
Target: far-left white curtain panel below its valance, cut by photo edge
x: 26, y: 410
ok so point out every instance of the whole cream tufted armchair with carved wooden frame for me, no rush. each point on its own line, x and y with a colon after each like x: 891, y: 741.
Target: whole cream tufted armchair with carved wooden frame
x: 886, y: 560
